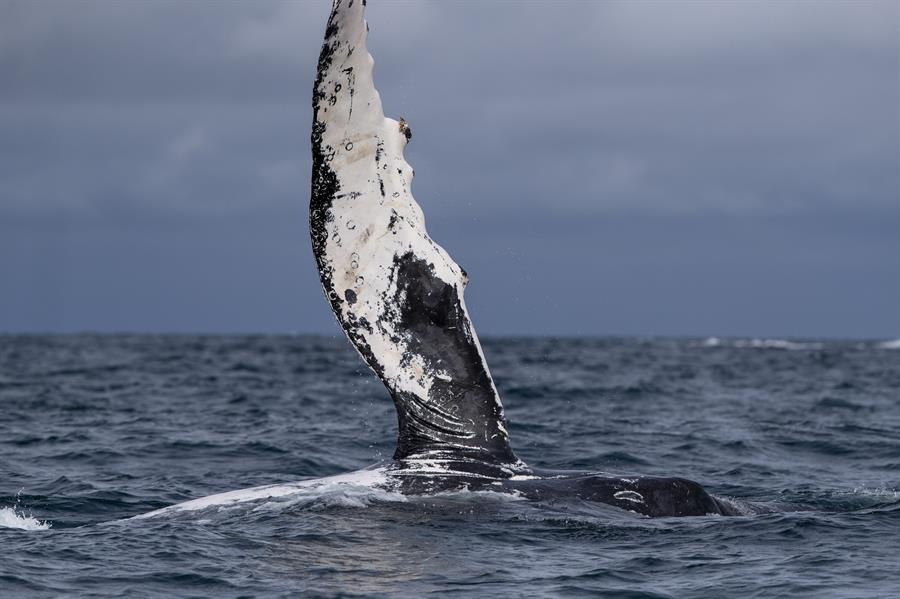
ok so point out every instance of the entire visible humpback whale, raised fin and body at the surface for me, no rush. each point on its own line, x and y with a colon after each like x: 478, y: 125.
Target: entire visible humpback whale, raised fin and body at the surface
x: 398, y: 297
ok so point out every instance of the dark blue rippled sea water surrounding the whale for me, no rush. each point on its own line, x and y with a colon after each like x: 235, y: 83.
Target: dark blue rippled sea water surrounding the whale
x: 96, y: 429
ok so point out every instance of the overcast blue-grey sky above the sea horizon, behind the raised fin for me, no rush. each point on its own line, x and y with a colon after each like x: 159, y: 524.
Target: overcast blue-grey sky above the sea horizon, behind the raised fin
x: 618, y: 168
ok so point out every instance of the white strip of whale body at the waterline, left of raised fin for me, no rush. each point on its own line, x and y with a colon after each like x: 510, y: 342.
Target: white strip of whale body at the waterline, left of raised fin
x: 365, y: 480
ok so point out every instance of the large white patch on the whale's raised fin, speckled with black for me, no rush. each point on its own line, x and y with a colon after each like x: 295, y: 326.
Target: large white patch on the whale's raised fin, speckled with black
x: 374, y: 217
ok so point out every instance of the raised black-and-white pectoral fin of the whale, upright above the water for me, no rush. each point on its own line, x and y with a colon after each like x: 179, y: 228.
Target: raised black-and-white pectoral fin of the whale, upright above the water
x: 395, y: 292
